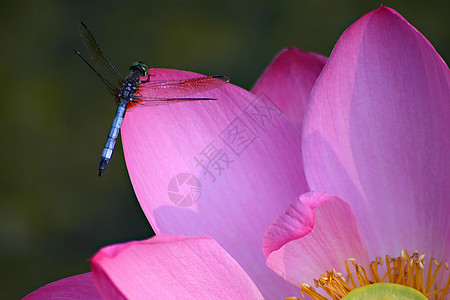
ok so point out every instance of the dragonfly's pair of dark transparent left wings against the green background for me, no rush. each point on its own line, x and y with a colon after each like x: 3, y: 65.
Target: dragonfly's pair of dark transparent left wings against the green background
x: 100, y: 63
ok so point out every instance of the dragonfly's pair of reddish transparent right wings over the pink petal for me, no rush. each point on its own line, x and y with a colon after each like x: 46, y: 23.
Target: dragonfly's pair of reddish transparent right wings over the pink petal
x: 157, y: 92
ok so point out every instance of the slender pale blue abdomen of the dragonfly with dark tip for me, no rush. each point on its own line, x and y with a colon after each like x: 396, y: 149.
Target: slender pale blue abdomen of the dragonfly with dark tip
x: 112, y: 136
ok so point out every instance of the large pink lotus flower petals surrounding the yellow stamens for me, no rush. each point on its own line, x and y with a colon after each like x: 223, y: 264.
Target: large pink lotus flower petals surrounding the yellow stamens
x: 375, y: 133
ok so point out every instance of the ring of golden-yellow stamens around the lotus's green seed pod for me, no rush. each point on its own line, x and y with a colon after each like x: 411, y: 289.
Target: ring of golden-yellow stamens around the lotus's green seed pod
x: 406, y: 270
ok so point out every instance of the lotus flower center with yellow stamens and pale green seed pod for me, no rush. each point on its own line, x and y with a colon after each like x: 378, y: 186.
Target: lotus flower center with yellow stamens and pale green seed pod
x: 402, y: 274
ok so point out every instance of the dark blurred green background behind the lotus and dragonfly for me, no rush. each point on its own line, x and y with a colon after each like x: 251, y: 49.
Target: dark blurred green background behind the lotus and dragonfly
x: 55, y: 114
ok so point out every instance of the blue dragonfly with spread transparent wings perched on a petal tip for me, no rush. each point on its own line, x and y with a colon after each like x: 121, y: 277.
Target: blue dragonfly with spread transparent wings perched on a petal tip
x: 137, y: 88
